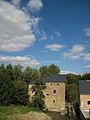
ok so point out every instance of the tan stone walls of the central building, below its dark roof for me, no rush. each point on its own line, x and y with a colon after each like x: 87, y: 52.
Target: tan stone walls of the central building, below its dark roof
x: 54, y: 96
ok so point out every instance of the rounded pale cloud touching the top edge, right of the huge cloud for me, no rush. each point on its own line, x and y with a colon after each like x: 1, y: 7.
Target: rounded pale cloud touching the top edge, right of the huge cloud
x: 35, y: 5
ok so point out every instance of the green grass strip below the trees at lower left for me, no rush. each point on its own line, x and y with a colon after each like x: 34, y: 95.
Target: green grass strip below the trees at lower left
x: 6, y: 111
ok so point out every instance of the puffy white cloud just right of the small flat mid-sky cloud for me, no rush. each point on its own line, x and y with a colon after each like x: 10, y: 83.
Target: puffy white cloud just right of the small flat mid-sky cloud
x: 76, y: 52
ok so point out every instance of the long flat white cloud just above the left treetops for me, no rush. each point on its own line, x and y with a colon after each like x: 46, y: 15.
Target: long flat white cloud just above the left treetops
x: 24, y: 61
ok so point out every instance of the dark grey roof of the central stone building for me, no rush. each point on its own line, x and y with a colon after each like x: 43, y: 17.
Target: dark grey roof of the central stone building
x: 55, y: 78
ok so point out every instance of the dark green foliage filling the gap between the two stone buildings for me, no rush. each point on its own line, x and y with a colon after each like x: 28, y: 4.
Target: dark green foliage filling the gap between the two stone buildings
x: 72, y: 88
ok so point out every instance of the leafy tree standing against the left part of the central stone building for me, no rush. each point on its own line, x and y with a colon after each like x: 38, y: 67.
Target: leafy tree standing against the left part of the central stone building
x: 38, y: 98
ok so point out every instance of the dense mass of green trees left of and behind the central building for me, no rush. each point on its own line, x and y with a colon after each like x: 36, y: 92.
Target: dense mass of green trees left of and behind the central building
x: 14, y: 82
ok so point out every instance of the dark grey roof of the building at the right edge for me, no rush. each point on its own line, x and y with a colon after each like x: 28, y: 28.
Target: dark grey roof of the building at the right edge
x: 84, y: 86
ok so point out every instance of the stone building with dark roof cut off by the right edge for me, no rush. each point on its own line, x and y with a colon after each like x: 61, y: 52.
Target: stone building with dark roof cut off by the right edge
x: 84, y: 97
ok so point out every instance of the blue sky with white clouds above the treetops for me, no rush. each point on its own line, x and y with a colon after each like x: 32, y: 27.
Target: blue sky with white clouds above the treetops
x: 39, y: 33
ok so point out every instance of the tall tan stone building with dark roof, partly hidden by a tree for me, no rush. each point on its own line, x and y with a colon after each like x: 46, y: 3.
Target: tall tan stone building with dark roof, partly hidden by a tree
x: 54, y: 93
